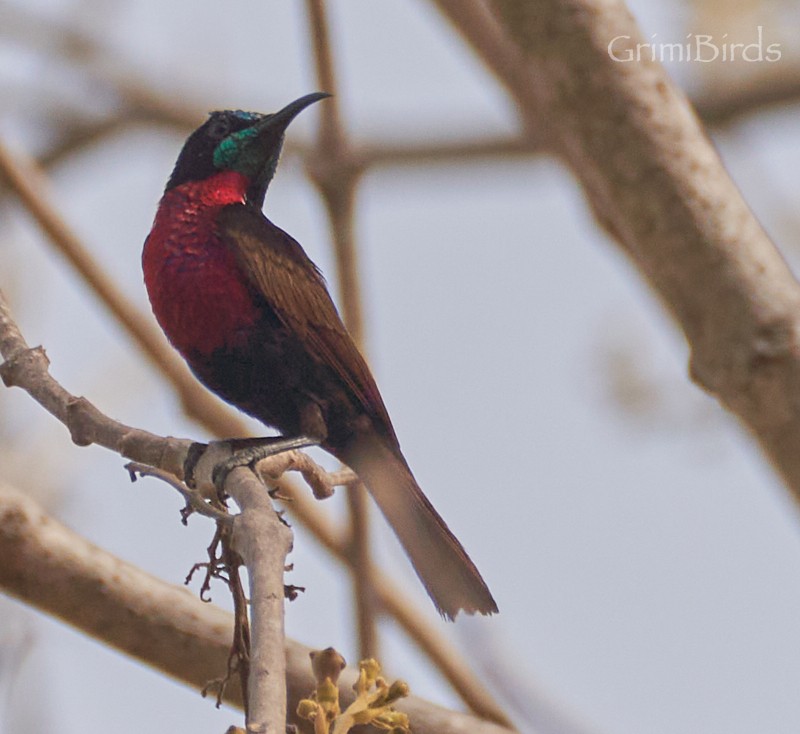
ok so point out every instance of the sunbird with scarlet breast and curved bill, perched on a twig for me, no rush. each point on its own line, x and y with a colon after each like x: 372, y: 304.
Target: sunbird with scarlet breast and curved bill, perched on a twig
x: 252, y: 316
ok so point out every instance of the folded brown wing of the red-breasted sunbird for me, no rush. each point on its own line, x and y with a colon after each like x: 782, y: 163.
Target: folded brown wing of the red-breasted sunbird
x: 295, y: 289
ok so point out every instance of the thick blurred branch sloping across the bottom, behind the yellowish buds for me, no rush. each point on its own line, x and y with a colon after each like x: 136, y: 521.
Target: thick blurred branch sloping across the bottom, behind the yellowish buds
x: 57, y: 571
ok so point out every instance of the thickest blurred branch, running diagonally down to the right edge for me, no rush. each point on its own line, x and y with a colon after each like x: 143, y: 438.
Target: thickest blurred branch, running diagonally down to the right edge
x: 656, y: 184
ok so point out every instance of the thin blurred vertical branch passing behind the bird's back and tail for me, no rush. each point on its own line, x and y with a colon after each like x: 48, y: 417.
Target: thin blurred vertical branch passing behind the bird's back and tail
x: 331, y: 168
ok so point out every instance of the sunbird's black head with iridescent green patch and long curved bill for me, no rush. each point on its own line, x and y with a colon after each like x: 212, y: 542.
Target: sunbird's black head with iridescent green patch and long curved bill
x: 248, y: 143
